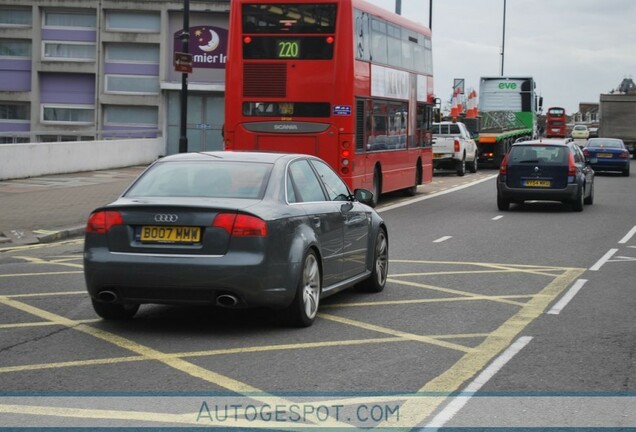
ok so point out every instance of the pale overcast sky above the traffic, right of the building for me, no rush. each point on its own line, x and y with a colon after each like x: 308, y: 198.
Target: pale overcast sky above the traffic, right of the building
x: 574, y: 49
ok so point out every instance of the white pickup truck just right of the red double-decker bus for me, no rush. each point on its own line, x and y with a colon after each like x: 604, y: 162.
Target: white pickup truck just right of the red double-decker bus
x: 454, y: 147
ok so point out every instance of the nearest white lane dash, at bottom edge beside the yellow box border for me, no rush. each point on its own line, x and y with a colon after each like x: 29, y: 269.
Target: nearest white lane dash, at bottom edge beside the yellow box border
x: 460, y: 401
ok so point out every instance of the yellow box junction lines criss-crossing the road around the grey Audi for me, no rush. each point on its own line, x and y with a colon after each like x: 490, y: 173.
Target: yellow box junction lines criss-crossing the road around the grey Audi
x: 414, y: 409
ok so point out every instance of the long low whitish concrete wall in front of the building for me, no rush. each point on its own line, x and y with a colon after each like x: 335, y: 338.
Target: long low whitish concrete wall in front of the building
x: 37, y: 159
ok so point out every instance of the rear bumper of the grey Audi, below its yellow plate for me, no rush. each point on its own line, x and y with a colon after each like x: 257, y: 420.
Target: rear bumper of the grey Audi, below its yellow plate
x: 139, y: 278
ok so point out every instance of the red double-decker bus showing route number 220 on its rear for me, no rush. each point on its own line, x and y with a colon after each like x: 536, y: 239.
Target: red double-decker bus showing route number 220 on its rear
x: 344, y: 80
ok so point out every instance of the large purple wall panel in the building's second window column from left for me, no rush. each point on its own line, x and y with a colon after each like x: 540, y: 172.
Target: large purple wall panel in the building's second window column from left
x: 67, y: 88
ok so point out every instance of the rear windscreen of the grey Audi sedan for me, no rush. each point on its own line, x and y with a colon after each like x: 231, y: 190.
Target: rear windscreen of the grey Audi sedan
x: 203, y: 179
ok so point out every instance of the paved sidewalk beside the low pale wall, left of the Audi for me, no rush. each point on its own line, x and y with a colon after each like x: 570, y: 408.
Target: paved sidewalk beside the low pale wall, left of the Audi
x: 50, y: 208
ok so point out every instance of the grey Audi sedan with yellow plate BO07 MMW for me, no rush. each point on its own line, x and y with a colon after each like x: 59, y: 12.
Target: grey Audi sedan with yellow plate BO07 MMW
x: 234, y: 229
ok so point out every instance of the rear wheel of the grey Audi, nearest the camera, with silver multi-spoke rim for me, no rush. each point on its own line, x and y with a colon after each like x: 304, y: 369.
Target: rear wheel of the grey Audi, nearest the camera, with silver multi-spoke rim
x: 304, y: 308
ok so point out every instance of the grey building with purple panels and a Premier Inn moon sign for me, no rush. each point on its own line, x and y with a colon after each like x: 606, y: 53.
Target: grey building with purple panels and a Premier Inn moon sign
x: 103, y: 69
